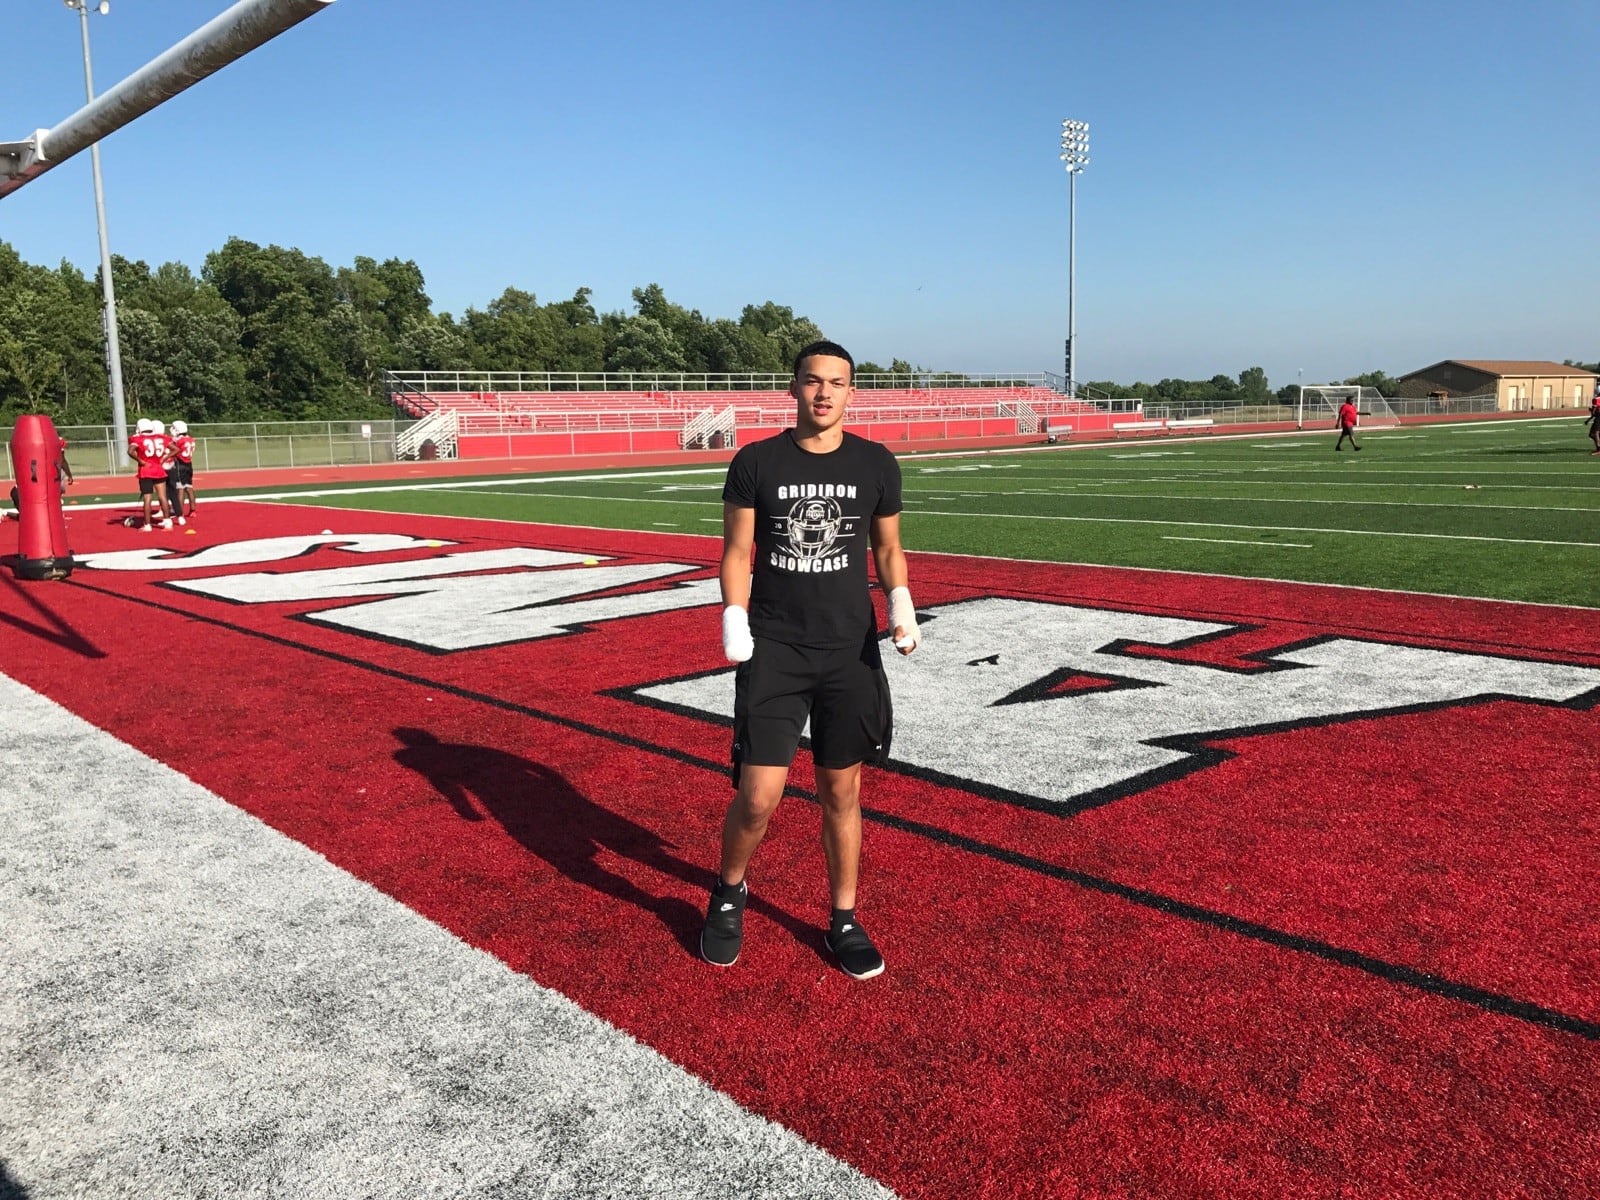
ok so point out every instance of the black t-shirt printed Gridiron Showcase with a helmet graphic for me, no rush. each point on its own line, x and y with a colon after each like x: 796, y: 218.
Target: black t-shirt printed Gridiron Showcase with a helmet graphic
x: 814, y: 518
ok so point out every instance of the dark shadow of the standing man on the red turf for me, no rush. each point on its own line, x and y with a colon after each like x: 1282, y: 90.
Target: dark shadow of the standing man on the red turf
x: 562, y: 826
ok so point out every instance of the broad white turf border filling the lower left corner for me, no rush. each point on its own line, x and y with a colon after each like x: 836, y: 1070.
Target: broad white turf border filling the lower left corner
x: 198, y: 1006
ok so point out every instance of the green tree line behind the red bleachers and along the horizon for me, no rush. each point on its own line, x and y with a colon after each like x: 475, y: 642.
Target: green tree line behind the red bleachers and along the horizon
x: 271, y: 334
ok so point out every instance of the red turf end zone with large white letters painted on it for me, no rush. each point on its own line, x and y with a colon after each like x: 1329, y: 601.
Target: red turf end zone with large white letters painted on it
x: 1345, y: 946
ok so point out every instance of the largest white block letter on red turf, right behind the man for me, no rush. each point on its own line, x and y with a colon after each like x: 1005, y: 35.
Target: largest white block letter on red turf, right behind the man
x: 1060, y: 748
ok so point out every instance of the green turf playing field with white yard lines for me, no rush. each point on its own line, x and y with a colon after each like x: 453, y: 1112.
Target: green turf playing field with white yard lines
x: 1503, y: 511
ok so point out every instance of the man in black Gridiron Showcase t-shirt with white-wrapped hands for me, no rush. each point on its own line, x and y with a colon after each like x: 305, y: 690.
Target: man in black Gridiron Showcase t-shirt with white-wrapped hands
x: 810, y: 502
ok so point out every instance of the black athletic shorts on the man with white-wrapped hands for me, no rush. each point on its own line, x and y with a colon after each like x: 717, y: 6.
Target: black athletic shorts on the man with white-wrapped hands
x: 842, y: 692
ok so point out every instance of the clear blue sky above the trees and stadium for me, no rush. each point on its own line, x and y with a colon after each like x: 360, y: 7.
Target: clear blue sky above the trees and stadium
x: 1305, y: 188
